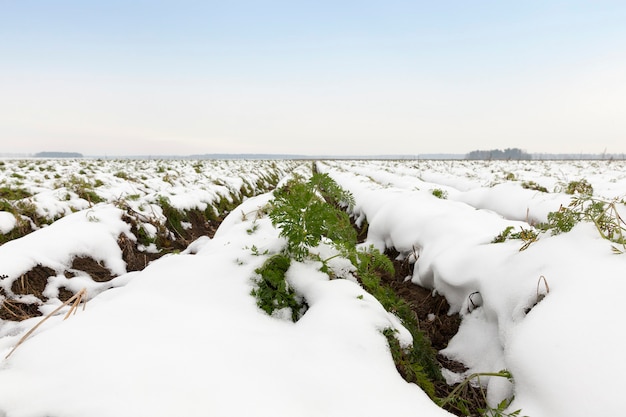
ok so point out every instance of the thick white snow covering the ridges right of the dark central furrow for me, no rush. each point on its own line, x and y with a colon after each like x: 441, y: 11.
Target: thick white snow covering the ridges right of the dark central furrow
x: 558, y: 351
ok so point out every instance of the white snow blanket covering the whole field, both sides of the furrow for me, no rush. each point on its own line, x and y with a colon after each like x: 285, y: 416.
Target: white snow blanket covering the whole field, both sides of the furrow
x: 185, y: 337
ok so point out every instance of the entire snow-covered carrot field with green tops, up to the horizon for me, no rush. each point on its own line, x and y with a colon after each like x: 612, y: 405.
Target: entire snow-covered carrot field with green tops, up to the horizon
x: 311, y: 288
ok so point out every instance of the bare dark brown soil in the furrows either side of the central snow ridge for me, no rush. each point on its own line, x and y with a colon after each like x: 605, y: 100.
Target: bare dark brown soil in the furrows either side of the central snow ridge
x: 431, y: 310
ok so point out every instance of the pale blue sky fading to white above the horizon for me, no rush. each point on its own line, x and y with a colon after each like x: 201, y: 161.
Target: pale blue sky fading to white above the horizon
x: 341, y: 77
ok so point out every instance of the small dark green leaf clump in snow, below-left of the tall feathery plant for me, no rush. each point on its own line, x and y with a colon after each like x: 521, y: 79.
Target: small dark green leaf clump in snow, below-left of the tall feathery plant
x: 273, y: 292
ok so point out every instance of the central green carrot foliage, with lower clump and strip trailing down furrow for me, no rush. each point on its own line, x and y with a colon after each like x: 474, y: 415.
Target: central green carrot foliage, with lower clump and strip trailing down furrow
x: 309, y: 213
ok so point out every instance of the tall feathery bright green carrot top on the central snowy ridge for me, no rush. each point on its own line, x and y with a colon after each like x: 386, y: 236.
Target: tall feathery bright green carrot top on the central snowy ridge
x: 306, y: 212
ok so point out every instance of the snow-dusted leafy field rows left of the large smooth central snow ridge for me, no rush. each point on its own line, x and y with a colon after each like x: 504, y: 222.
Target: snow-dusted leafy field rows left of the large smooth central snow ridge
x: 125, y: 213
